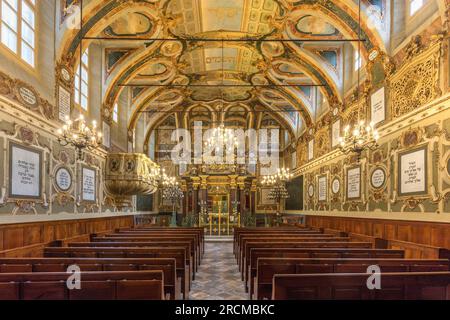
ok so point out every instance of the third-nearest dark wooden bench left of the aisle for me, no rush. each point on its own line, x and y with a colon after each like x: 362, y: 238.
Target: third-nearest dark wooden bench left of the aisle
x: 178, y: 253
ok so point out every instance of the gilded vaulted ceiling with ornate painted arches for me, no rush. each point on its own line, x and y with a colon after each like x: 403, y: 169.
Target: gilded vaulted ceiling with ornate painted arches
x: 238, y: 55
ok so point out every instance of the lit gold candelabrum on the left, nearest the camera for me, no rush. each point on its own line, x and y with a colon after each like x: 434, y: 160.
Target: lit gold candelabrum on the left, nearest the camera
x: 79, y: 135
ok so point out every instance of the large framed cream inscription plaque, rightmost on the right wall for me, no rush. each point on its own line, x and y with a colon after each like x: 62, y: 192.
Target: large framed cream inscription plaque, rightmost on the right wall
x: 412, y: 172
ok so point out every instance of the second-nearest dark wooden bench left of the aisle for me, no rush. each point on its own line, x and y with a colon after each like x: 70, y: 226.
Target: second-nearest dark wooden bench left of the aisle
x: 172, y: 286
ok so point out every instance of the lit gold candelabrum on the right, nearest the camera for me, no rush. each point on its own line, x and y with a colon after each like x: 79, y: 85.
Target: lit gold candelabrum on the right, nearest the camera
x: 359, y: 139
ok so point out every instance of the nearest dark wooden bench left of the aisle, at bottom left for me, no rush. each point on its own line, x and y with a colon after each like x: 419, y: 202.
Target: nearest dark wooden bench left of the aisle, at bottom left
x: 123, y: 285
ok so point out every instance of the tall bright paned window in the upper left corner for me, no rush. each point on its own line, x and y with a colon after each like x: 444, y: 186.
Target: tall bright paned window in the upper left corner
x: 18, y: 27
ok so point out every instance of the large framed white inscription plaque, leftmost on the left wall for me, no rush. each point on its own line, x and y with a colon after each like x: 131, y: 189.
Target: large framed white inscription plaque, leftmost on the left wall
x: 25, y: 172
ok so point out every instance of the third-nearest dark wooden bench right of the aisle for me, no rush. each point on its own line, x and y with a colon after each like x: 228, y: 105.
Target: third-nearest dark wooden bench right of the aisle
x: 286, y: 252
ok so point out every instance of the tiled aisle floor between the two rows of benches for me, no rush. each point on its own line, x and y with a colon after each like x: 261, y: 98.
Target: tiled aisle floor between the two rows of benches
x: 218, y: 277
